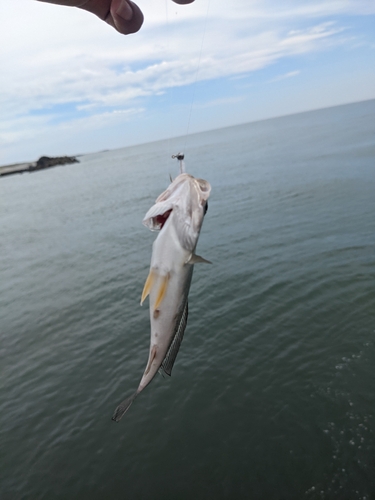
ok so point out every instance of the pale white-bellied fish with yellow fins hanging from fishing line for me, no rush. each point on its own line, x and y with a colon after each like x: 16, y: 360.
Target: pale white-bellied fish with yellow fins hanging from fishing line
x: 178, y: 216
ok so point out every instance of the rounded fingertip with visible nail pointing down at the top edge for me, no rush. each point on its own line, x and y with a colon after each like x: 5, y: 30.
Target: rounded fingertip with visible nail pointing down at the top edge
x: 125, y: 16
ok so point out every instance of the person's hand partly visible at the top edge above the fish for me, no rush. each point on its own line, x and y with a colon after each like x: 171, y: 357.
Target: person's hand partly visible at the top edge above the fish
x: 124, y: 15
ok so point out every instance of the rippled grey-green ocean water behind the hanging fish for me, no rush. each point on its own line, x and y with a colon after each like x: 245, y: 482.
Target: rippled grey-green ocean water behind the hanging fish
x: 272, y: 395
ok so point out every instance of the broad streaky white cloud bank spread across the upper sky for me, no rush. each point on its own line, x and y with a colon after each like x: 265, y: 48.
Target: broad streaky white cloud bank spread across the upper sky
x: 67, y: 56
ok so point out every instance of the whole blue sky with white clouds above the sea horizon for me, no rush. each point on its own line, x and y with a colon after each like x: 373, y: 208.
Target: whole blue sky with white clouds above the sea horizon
x: 70, y: 84
